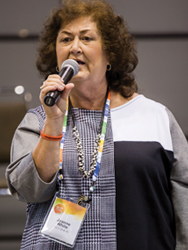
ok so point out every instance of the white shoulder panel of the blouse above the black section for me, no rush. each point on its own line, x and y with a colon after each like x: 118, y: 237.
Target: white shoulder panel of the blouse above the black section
x: 142, y: 119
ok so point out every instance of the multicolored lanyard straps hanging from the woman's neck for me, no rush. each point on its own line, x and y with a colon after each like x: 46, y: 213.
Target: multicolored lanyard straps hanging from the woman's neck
x: 100, y: 150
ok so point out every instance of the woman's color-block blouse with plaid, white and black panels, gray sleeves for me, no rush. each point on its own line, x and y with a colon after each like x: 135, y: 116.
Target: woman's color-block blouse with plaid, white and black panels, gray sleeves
x: 140, y: 199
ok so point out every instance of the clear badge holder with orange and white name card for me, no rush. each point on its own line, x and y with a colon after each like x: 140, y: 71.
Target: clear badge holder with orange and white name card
x: 64, y: 220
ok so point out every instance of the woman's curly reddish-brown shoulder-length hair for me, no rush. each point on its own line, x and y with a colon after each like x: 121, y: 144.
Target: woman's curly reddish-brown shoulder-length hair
x: 118, y: 44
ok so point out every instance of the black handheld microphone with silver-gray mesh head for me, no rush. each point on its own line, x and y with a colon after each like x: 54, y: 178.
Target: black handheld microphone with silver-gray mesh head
x: 69, y: 68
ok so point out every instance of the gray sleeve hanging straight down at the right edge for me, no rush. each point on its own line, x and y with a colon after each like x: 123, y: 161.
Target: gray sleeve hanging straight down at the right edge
x: 179, y: 181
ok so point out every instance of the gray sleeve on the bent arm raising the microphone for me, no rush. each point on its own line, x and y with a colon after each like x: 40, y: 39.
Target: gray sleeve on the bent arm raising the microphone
x: 23, y: 180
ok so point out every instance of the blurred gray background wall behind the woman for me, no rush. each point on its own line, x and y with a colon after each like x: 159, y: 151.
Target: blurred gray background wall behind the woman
x: 161, y: 31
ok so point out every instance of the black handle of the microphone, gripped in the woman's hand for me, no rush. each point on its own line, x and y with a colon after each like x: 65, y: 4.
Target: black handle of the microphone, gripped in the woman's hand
x: 51, y: 97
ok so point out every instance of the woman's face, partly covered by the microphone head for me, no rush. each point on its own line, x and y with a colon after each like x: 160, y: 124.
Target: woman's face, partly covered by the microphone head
x: 81, y: 41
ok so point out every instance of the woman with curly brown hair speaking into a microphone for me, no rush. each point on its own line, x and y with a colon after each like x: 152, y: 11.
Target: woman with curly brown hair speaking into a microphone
x: 138, y: 198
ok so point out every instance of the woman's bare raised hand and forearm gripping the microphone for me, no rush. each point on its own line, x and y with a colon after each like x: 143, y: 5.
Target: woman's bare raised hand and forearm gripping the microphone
x: 46, y: 153
